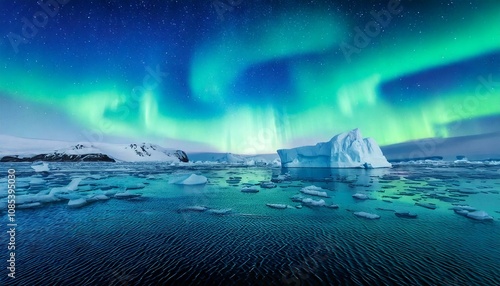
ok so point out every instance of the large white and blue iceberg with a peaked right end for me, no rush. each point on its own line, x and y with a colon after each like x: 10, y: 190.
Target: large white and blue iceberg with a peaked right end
x: 345, y: 150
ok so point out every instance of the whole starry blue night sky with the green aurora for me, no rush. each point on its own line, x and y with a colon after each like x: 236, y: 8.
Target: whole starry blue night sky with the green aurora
x: 248, y: 76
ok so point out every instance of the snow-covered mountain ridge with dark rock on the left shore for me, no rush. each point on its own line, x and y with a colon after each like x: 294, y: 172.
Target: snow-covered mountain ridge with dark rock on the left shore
x: 14, y: 149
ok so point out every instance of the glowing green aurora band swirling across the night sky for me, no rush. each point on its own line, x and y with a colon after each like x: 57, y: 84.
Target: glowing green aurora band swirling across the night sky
x: 329, y: 94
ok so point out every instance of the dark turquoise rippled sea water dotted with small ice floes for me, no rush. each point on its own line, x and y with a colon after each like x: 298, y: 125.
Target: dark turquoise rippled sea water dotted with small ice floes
x: 150, y: 240
